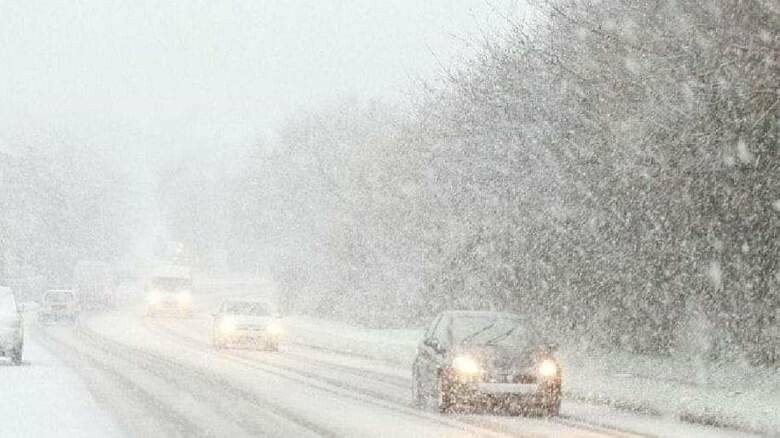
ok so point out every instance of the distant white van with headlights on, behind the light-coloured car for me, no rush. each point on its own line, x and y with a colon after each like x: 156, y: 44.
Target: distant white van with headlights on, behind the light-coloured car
x: 169, y: 291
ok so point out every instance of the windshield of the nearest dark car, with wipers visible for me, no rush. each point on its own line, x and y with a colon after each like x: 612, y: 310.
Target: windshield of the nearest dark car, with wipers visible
x: 481, y: 330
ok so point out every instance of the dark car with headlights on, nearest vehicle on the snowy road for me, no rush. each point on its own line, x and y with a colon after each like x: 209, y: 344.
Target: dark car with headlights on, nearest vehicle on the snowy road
x: 485, y: 359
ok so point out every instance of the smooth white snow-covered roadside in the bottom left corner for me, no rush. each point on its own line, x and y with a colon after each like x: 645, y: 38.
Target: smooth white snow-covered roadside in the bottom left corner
x: 44, y: 398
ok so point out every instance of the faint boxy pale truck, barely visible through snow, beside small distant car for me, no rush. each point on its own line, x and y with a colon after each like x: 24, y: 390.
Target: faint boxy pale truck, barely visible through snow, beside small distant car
x: 94, y: 285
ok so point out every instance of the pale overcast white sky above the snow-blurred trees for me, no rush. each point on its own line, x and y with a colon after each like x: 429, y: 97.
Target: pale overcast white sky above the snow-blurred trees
x: 148, y: 75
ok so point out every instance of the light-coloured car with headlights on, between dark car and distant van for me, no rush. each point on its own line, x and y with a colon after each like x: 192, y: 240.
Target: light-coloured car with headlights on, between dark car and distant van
x: 246, y: 323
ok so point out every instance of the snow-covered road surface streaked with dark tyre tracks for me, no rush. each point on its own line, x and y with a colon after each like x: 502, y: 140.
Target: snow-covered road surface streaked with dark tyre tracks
x: 161, y: 377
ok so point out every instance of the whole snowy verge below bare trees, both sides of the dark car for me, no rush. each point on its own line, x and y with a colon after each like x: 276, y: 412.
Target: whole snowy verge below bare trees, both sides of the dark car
x: 745, y: 399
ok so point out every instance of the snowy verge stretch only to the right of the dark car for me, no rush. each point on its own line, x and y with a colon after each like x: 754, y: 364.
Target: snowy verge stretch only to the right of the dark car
x: 739, y: 397
